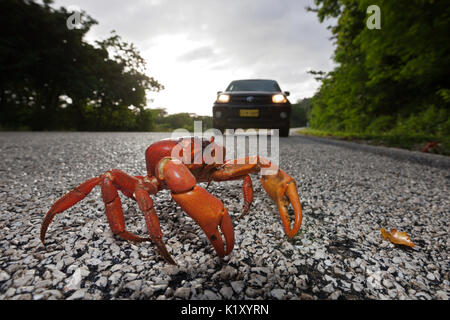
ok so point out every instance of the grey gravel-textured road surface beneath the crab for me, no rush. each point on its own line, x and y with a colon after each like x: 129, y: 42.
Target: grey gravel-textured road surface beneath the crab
x: 348, y: 193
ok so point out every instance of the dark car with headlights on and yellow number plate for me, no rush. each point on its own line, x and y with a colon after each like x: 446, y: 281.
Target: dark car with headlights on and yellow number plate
x: 252, y: 103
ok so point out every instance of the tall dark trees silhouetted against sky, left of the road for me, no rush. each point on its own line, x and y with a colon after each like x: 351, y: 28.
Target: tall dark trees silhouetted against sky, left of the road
x: 51, y: 79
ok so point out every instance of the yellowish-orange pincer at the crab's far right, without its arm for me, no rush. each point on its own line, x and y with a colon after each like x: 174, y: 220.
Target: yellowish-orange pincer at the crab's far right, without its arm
x: 282, y: 189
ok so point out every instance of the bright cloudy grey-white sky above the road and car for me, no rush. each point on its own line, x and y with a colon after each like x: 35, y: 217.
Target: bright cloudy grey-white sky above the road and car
x: 197, y: 47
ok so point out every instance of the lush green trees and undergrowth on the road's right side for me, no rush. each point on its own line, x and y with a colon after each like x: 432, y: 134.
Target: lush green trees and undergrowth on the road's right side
x: 389, y: 81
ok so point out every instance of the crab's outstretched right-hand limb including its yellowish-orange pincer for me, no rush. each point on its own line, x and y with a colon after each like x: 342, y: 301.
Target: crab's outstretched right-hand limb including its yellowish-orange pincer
x: 278, y: 184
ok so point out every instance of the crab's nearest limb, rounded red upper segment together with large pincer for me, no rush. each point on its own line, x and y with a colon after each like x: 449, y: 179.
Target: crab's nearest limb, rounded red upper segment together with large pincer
x: 208, y: 211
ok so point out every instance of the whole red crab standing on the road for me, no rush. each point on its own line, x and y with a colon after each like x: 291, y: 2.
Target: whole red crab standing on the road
x: 203, y: 161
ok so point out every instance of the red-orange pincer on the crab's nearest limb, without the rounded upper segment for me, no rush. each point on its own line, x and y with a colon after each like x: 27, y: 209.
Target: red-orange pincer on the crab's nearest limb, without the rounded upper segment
x: 211, y: 215
